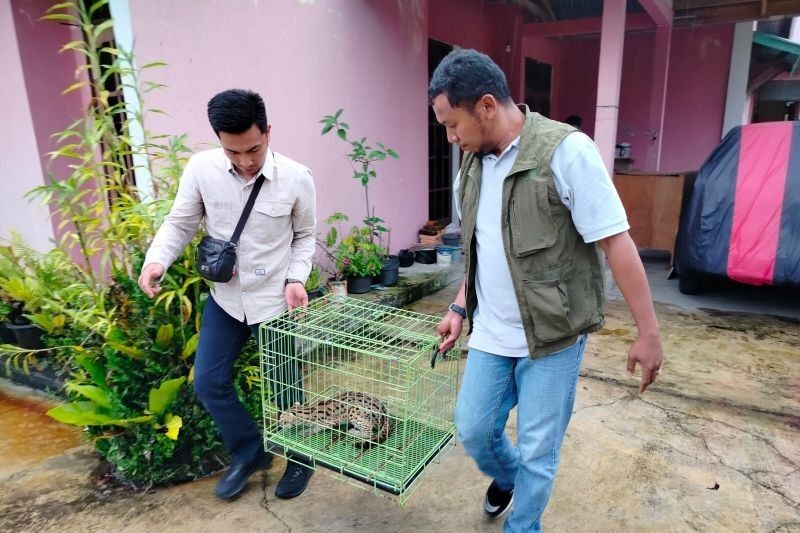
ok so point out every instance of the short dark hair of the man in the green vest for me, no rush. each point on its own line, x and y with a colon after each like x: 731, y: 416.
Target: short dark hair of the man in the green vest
x: 465, y: 76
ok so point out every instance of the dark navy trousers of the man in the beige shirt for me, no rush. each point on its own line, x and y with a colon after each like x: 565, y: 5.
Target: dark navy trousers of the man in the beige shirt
x: 222, y: 338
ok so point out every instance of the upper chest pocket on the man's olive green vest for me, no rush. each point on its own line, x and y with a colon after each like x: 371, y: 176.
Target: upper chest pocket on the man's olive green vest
x: 532, y: 226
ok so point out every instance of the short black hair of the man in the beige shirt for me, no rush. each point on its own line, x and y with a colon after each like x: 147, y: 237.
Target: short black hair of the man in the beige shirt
x: 236, y: 110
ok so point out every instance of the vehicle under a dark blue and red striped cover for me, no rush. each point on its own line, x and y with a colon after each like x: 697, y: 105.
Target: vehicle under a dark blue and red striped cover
x: 741, y: 219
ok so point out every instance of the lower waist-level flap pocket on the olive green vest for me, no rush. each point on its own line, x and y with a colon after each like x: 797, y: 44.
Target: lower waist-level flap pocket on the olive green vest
x: 548, y: 303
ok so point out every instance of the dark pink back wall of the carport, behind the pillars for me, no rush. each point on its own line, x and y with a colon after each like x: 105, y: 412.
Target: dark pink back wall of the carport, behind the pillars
x: 696, y: 89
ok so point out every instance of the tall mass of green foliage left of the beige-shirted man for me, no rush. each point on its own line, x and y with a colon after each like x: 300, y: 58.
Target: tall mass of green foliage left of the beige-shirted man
x: 129, y: 359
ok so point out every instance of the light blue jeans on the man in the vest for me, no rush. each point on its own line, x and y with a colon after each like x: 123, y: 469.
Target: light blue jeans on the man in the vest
x: 543, y: 390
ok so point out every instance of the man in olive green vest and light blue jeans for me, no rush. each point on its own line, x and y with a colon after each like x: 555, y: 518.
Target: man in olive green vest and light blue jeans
x: 536, y: 207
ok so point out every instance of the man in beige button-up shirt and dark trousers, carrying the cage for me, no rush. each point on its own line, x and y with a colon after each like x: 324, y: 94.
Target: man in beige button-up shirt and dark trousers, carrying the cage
x: 273, y: 262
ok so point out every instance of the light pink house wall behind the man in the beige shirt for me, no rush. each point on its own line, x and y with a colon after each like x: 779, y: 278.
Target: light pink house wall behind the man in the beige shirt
x: 307, y: 59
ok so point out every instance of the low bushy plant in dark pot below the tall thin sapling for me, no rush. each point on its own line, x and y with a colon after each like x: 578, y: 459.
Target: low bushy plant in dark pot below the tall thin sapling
x: 359, y: 259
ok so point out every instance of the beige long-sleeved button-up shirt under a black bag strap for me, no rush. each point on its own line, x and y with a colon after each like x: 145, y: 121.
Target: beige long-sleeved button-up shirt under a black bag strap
x: 277, y: 242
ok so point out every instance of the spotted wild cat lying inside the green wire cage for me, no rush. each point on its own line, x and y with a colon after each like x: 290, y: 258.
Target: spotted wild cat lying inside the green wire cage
x: 364, y: 414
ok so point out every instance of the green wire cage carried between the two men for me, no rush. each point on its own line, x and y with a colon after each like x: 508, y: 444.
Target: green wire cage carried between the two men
x: 360, y: 389
